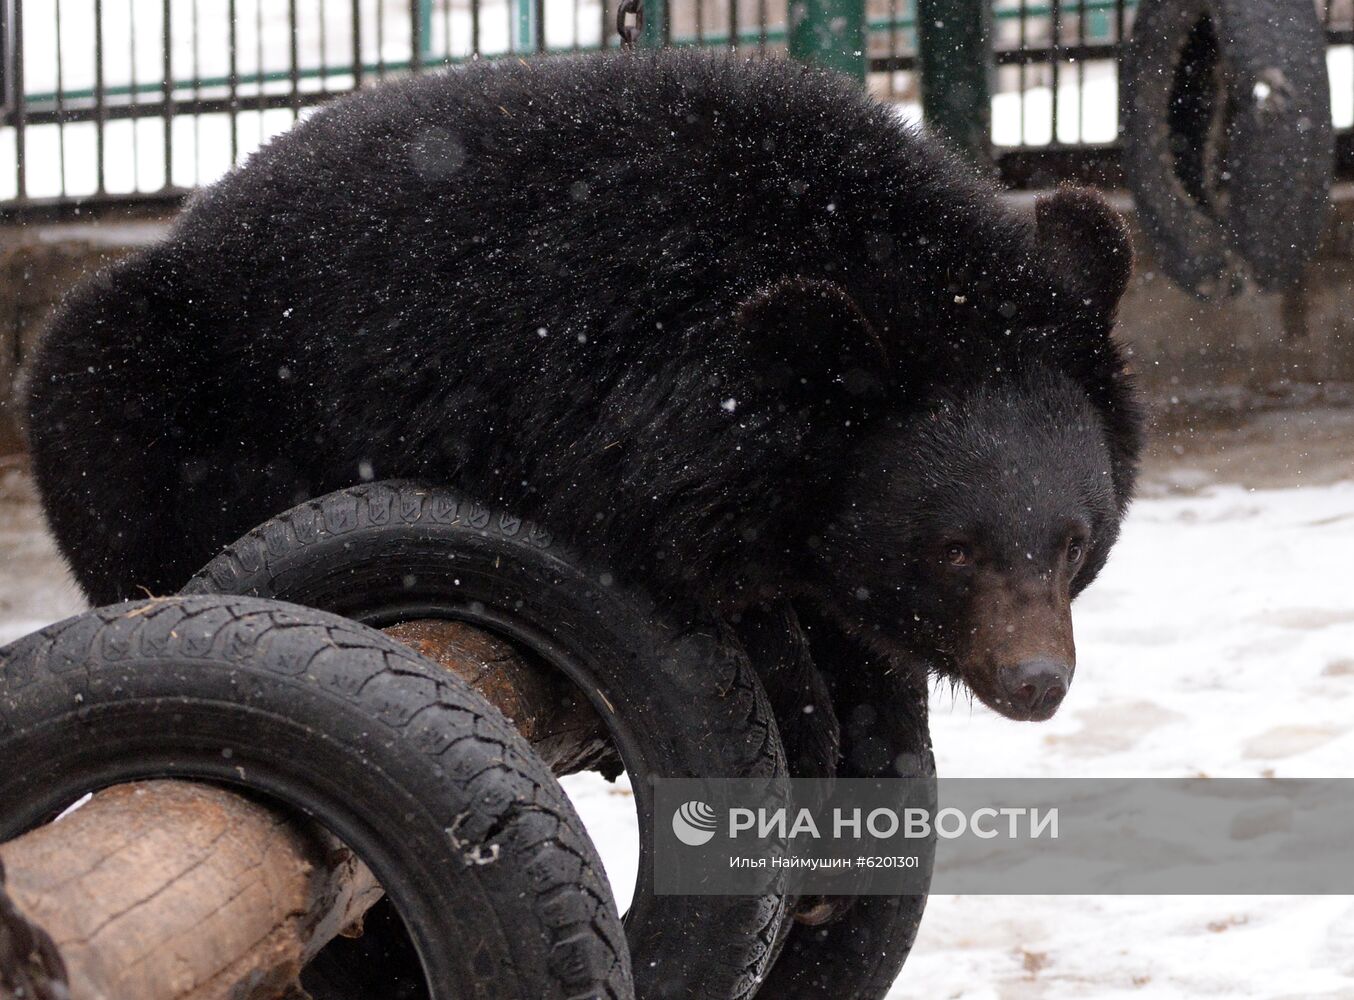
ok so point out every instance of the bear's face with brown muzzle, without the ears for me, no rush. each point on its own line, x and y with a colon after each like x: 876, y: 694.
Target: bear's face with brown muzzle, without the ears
x: 969, y: 528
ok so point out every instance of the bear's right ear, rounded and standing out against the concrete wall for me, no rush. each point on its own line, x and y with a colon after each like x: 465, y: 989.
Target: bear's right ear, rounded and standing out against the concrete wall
x: 1087, y: 244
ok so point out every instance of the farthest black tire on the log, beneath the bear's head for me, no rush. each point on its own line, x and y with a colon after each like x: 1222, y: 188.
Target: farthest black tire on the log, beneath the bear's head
x: 885, y: 733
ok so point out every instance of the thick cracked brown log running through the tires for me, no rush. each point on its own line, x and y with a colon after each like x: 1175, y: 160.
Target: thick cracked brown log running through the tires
x: 175, y: 891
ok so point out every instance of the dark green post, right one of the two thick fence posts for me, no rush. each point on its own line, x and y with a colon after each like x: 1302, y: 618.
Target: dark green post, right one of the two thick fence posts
x: 955, y: 40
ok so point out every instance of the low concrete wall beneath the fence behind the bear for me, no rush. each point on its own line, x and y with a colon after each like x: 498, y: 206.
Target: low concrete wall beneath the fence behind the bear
x: 1200, y: 363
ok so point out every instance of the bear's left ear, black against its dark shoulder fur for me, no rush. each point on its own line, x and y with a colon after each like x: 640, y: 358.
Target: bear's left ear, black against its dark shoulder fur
x: 813, y: 342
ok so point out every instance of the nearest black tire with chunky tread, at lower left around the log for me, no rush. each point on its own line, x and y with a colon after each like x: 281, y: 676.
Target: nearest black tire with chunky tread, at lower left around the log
x: 469, y: 833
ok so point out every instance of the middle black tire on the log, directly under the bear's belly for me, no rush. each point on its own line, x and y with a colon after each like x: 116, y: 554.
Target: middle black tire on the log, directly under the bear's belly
x: 679, y: 699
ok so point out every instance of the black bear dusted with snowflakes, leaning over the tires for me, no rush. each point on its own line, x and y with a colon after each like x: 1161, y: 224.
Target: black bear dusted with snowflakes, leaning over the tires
x: 729, y: 325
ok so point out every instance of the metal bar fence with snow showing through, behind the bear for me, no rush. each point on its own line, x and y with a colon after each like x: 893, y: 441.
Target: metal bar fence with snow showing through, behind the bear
x: 136, y: 101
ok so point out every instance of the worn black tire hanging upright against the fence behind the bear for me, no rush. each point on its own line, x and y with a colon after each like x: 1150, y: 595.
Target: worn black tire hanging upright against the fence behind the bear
x: 1229, y: 145
